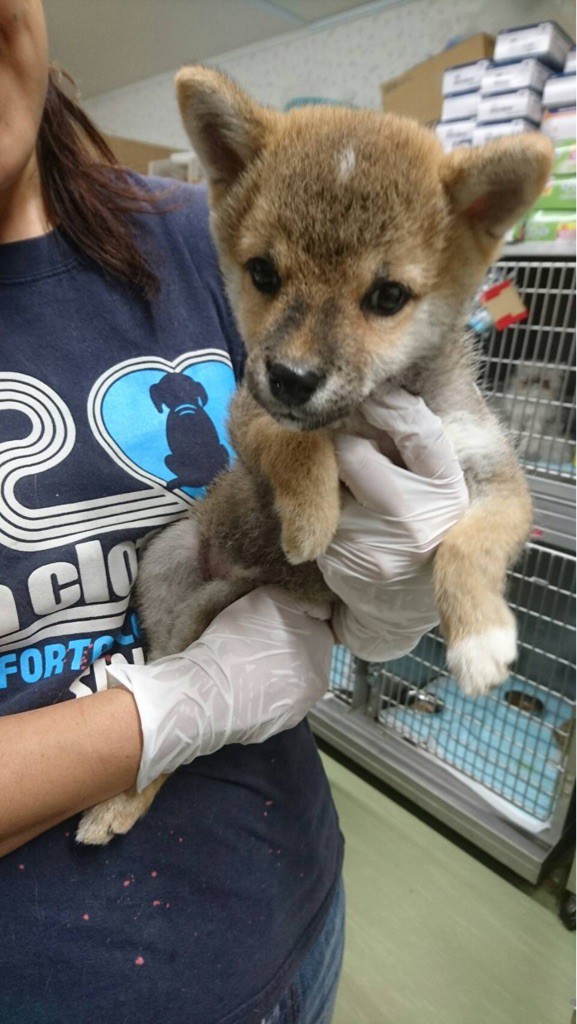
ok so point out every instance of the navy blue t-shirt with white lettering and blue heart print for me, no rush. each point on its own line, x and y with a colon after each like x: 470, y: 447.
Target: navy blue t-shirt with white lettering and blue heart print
x: 204, y: 911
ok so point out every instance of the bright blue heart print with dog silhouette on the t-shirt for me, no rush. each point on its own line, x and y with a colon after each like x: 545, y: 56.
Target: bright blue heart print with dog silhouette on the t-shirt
x: 193, y: 412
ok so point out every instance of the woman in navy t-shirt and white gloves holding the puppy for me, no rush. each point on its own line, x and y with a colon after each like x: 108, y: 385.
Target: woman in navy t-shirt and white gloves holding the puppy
x: 225, y: 905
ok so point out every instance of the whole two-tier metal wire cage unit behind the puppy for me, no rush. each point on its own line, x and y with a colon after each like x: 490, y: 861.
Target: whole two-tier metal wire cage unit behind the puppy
x: 499, y: 770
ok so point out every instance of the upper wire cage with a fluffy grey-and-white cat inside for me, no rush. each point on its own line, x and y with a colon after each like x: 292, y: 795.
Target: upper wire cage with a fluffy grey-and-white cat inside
x: 528, y: 370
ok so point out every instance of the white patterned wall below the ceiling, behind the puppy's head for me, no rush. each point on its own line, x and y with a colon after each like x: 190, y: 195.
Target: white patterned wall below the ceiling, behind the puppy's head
x: 346, y: 61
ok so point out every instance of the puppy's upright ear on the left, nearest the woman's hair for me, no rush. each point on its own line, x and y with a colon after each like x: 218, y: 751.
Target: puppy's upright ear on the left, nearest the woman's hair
x: 227, y: 129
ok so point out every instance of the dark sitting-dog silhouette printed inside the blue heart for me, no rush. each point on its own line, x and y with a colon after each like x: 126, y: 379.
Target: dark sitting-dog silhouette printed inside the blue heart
x: 196, y: 450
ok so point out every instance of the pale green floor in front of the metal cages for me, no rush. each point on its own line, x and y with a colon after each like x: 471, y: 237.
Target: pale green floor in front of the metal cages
x: 435, y: 936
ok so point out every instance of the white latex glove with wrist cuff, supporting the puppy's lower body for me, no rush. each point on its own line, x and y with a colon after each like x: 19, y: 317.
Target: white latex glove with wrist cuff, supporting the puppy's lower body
x: 257, y: 670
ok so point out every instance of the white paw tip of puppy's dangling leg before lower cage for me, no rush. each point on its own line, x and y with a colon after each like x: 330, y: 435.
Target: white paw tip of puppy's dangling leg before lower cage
x: 483, y: 661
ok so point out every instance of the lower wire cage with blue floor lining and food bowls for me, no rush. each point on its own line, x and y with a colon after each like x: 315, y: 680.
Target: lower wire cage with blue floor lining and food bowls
x: 512, y: 745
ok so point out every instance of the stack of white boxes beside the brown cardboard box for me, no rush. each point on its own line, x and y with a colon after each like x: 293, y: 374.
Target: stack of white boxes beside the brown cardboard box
x: 487, y: 100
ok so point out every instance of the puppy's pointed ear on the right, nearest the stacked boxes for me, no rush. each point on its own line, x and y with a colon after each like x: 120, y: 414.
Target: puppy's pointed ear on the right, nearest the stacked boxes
x: 491, y: 187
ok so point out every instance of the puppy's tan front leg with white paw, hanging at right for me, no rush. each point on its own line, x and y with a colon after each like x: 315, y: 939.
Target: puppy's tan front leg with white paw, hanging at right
x: 470, y: 573
